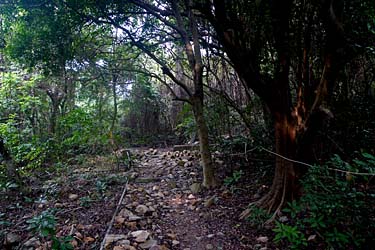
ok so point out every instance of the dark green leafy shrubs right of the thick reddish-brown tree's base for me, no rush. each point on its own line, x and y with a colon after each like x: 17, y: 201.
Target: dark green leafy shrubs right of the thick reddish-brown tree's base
x: 336, y: 205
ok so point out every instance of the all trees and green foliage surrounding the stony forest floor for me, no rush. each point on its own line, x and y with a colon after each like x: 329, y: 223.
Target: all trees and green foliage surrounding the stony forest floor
x: 87, y: 78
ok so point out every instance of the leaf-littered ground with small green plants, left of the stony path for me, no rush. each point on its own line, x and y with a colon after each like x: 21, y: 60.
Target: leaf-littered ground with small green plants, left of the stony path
x: 44, y: 213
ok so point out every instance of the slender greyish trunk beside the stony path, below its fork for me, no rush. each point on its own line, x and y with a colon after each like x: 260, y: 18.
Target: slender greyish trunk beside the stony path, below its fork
x: 209, y: 179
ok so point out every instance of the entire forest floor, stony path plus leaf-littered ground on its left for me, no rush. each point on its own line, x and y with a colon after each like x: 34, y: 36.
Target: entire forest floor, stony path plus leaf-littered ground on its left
x: 163, y: 207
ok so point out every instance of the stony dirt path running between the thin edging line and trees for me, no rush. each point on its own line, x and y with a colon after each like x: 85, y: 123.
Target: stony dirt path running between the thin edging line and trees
x: 165, y: 207
